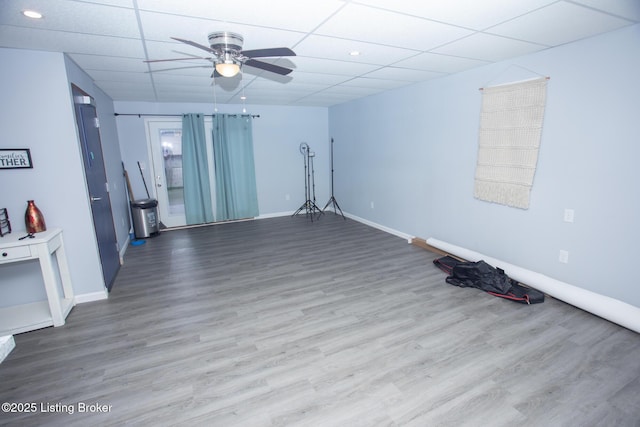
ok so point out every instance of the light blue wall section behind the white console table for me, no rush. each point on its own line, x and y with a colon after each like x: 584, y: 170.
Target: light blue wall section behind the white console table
x: 36, y: 112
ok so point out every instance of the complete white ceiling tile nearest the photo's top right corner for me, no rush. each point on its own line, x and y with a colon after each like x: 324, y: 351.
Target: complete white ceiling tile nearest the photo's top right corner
x: 563, y: 22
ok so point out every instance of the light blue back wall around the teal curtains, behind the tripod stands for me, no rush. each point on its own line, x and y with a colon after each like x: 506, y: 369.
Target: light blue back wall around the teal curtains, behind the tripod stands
x: 277, y: 134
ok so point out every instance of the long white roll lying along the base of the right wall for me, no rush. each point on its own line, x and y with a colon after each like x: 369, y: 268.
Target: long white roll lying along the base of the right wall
x: 608, y: 308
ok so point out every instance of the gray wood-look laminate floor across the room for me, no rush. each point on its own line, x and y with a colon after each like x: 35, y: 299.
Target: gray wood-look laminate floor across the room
x: 287, y: 322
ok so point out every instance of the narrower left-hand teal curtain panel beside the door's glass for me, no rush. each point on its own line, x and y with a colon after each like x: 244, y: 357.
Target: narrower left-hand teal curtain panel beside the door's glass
x: 195, y: 173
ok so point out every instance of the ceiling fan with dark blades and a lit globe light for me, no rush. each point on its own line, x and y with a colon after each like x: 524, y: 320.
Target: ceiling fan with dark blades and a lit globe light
x: 228, y: 56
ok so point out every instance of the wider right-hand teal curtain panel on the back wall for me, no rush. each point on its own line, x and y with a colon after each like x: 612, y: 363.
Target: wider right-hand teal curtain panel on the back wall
x: 236, y: 194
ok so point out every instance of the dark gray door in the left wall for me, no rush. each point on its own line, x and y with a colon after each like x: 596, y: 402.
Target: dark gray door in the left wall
x: 88, y: 128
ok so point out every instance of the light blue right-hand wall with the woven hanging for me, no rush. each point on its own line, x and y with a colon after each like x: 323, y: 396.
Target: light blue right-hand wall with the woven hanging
x: 412, y: 152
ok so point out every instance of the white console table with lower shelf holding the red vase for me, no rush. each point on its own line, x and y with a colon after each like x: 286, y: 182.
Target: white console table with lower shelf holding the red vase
x: 53, y: 311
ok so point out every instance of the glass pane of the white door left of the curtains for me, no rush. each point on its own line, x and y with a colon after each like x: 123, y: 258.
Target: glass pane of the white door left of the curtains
x: 171, y: 142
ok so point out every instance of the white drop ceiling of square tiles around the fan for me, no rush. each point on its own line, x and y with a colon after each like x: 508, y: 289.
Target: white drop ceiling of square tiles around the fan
x: 399, y: 42
